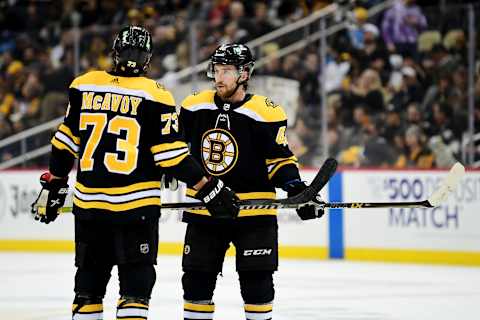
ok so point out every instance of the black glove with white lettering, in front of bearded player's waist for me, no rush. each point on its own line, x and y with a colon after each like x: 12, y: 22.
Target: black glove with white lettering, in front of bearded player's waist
x: 220, y: 200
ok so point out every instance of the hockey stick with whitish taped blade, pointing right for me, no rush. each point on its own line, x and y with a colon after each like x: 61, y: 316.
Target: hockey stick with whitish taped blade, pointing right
x: 439, y: 196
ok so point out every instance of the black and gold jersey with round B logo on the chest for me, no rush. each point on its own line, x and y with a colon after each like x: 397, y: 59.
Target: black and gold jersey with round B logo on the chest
x: 244, y: 144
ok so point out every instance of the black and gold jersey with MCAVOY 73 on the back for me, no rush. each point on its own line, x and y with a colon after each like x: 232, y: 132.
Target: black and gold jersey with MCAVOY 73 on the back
x: 122, y: 130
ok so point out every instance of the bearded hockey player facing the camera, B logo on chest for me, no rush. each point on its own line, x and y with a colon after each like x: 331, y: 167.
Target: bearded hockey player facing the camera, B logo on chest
x: 239, y: 137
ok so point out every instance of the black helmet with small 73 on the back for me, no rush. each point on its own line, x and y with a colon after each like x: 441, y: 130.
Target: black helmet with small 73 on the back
x: 132, y: 50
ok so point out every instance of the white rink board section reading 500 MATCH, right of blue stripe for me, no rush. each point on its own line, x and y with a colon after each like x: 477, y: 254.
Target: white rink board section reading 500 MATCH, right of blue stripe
x: 447, y: 234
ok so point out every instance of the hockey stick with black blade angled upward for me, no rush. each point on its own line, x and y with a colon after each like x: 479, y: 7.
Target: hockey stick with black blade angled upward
x: 308, y: 195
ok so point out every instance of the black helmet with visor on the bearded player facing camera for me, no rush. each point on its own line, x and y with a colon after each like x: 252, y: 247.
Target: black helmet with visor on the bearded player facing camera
x: 238, y: 55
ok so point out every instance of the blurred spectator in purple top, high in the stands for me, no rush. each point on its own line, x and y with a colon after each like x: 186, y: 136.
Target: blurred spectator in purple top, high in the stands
x: 401, y: 26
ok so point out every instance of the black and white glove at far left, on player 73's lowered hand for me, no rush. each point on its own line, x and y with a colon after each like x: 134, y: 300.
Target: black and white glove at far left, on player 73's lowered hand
x: 52, y: 197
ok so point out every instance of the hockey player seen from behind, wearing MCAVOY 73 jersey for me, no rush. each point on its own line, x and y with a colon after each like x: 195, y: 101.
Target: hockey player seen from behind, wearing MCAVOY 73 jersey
x: 123, y: 128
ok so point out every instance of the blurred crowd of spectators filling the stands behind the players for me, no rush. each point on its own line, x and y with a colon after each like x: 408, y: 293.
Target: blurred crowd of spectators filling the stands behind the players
x: 396, y: 82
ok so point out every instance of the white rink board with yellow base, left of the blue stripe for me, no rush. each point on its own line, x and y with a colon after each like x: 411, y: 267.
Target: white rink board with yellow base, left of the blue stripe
x: 19, y: 232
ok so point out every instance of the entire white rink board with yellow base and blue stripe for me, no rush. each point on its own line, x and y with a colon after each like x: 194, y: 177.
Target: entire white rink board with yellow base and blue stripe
x: 448, y: 234
